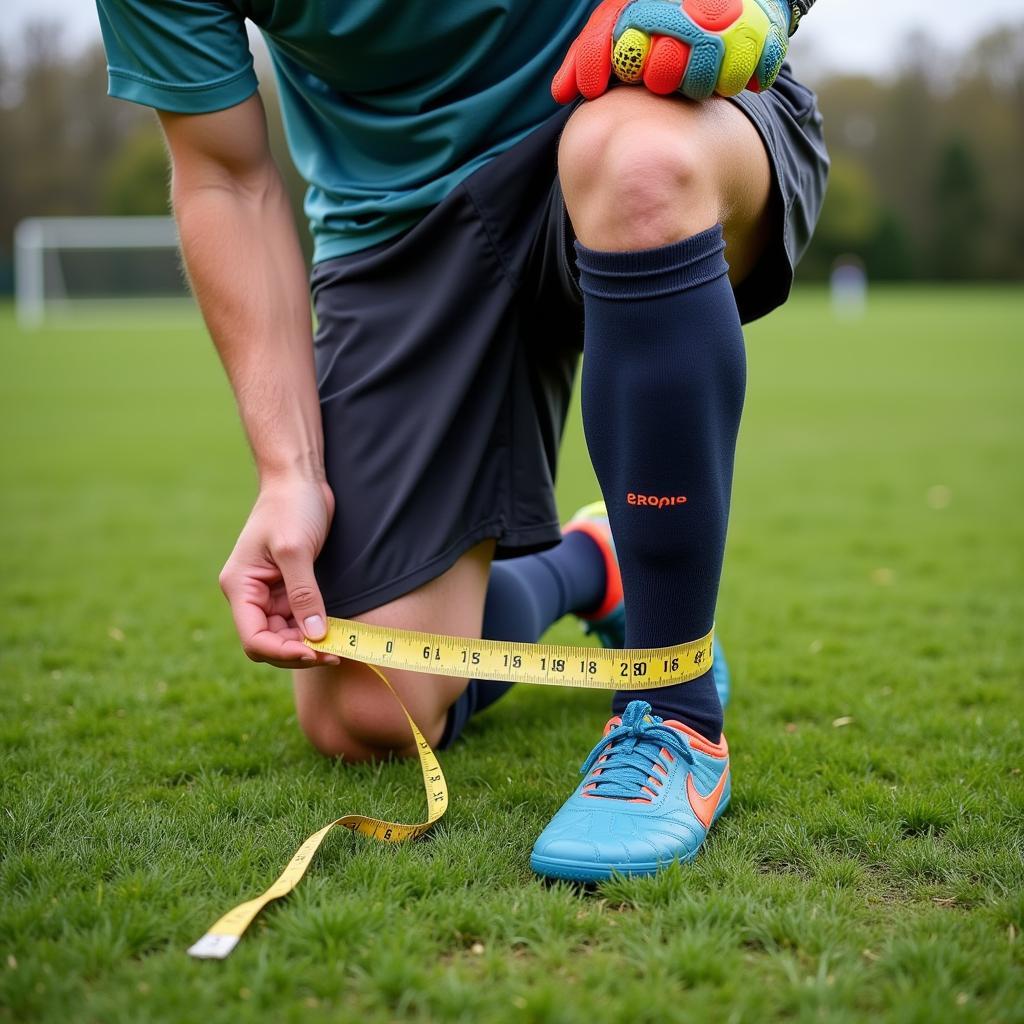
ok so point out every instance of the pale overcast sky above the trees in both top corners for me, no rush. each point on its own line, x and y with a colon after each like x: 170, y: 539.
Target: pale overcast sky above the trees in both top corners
x: 838, y: 34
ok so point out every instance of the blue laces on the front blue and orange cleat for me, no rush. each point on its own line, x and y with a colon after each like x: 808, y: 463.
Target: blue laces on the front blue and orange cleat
x: 632, y: 760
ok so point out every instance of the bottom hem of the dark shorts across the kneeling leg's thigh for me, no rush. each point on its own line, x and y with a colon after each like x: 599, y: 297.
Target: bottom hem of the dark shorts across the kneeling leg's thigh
x: 513, y: 543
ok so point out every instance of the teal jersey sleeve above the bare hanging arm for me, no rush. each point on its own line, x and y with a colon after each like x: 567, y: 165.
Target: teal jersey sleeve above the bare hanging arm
x: 188, y: 57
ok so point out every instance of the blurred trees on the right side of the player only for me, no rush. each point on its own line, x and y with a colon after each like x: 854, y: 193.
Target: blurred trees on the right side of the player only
x: 927, y: 166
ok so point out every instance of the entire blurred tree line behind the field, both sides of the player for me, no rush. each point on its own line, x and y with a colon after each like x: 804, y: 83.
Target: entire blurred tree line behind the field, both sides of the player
x: 926, y: 177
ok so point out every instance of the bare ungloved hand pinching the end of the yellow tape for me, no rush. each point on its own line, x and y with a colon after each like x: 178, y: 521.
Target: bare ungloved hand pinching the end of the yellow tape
x: 270, y: 581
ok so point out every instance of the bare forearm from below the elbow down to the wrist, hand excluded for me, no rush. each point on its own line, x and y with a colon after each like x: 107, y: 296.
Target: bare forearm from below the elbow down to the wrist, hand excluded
x: 249, y: 278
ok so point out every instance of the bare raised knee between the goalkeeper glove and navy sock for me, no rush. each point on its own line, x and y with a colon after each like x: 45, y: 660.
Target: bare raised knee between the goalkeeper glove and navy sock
x: 632, y: 173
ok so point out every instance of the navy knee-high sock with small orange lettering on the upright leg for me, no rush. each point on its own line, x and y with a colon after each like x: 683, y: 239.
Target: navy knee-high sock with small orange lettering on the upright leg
x: 663, y: 391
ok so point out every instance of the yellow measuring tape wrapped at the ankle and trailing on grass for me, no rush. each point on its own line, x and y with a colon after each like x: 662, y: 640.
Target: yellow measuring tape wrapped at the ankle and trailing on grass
x: 542, y: 665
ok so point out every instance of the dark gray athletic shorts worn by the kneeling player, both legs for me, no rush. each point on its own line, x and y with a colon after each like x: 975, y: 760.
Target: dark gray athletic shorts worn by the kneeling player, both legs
x: 446, y: 358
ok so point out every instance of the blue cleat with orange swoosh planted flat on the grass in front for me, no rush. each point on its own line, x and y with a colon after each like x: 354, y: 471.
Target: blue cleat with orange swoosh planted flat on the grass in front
x: 651, y: 792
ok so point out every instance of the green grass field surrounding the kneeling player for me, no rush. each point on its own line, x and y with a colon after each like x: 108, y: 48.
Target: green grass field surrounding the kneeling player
x: 871, y: 867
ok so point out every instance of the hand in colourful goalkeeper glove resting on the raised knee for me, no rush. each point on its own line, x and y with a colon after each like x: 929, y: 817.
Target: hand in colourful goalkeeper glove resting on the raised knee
x: 697, y: 48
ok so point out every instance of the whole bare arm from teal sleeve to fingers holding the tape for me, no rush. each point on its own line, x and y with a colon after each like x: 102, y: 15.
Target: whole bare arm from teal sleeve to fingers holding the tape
x: 246, y: 269
